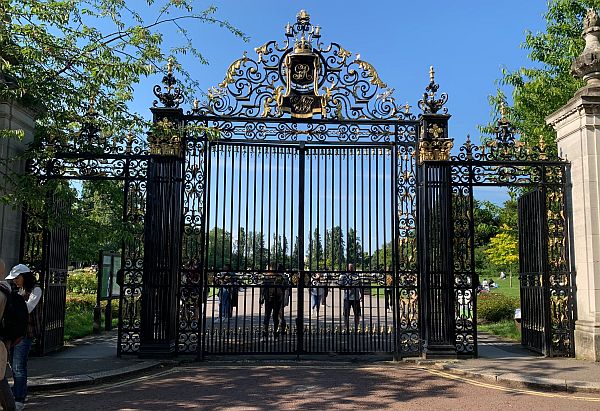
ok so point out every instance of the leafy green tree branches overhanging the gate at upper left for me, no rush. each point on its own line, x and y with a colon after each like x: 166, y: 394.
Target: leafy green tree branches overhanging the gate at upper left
x: 57, y: 55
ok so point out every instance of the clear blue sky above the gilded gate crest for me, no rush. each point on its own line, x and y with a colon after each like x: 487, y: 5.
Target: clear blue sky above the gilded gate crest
x: 467, y: 41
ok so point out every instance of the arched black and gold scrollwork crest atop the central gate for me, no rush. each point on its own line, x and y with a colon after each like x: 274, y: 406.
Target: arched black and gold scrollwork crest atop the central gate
x: 302, y: 76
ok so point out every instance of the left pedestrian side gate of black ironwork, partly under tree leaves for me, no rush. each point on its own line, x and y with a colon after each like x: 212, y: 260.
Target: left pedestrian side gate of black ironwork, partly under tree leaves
x: 45, y: 237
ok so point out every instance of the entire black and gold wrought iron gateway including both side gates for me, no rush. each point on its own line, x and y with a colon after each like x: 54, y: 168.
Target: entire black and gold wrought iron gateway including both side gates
x: 239, y: 220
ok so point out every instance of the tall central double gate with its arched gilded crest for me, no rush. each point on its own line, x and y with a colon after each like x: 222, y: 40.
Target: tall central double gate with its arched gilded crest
x: 281, y: 207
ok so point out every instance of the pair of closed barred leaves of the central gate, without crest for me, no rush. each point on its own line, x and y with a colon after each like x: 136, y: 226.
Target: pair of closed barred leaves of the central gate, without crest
x: 299, y: 255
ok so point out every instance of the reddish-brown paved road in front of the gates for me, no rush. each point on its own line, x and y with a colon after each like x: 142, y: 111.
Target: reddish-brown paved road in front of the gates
x: 311, y: 386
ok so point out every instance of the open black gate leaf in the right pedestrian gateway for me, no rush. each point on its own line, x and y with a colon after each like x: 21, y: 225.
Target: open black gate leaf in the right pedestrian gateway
x: 533, y: 272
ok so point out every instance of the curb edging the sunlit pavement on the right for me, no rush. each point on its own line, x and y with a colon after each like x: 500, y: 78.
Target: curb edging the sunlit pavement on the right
x: 514, y: 380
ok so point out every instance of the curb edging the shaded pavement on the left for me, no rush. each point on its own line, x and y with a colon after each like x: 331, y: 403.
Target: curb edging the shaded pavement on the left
x: 39, y: 384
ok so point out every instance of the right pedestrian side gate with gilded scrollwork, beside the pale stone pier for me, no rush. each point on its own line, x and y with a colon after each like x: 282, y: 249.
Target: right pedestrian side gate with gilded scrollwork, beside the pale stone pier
x: 547, y: 287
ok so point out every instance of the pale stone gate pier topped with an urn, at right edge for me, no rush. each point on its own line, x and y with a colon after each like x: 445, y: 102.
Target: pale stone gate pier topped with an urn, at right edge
x: 577, y: 126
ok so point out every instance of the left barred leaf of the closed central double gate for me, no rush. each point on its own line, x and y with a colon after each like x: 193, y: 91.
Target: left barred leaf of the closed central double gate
x: 252, y: 250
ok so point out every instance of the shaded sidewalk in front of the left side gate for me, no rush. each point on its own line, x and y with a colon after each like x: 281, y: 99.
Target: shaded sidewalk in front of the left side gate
x: 89, y: 360
